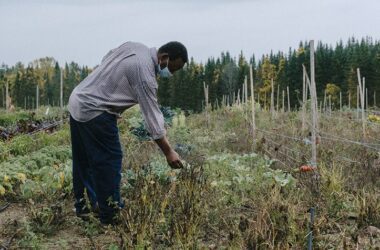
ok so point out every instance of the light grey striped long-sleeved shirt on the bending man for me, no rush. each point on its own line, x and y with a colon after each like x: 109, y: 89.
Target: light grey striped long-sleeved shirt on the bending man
x: 125, y: 77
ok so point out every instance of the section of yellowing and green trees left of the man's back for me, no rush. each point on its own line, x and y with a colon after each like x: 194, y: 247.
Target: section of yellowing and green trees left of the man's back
x: 44, y: 73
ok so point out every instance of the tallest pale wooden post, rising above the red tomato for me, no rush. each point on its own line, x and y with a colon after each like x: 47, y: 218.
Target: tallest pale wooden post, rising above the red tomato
x: 314, y: 105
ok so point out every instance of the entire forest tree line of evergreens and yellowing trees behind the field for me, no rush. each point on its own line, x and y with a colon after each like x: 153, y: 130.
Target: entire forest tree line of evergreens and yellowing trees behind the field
x: 335, y: 72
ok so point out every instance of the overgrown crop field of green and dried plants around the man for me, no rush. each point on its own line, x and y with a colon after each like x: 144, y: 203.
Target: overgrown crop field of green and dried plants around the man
x: 240, y: 189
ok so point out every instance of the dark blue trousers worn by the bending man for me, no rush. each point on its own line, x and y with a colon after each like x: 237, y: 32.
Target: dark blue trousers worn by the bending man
x: 97, y: 158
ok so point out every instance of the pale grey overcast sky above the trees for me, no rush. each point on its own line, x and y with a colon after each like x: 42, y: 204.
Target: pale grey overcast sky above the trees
x: 83, y: 30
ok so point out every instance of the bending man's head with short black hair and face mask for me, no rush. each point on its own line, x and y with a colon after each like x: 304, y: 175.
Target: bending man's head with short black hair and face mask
x: 172, y: 55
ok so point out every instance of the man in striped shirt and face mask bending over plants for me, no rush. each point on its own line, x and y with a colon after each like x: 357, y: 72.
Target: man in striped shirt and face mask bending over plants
x: 125, y: 77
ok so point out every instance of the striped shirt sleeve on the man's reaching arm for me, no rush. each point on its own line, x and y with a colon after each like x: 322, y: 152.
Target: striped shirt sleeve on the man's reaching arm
x: 146, y: 93
